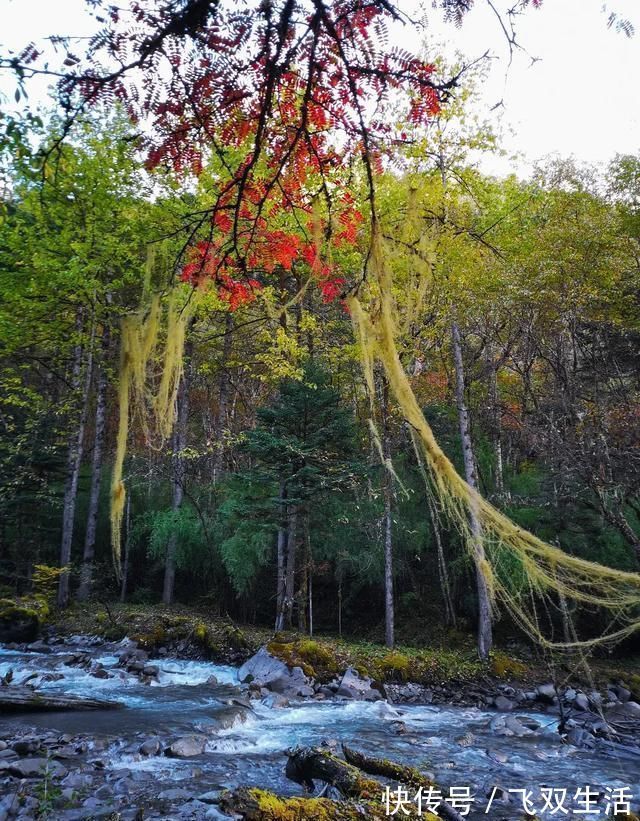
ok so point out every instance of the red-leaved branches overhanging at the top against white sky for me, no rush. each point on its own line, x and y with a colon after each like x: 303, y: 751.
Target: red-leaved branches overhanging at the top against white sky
x: 286, y: 94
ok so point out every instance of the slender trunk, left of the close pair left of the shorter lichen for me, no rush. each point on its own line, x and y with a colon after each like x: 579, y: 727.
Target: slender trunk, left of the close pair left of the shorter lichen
x: 74, y: 458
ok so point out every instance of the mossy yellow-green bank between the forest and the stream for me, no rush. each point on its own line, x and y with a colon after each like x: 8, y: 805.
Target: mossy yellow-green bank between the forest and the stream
x: 449, y: 659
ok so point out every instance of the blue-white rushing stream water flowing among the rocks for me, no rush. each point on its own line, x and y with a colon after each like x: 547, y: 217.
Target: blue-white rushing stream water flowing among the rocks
x: 245, y: 745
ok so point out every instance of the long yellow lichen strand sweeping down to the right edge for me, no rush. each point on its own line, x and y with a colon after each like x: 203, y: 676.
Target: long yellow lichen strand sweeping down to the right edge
x: 548, y: 571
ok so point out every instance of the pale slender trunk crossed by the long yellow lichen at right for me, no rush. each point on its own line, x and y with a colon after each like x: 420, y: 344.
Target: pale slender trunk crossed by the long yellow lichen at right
x: 484, y: 602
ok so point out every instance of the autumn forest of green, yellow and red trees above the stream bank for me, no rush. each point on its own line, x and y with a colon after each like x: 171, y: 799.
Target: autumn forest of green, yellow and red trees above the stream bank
x: 270, y: 339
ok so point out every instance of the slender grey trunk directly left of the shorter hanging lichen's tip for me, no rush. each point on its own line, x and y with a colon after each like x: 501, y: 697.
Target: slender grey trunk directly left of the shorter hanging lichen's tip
x: 86, y: 571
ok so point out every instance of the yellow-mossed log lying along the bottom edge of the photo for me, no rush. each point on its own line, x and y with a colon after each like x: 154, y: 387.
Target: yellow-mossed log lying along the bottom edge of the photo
x: 261, y: 805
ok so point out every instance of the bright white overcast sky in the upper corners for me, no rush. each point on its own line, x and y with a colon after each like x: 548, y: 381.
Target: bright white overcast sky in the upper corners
x: 581, y: 98
